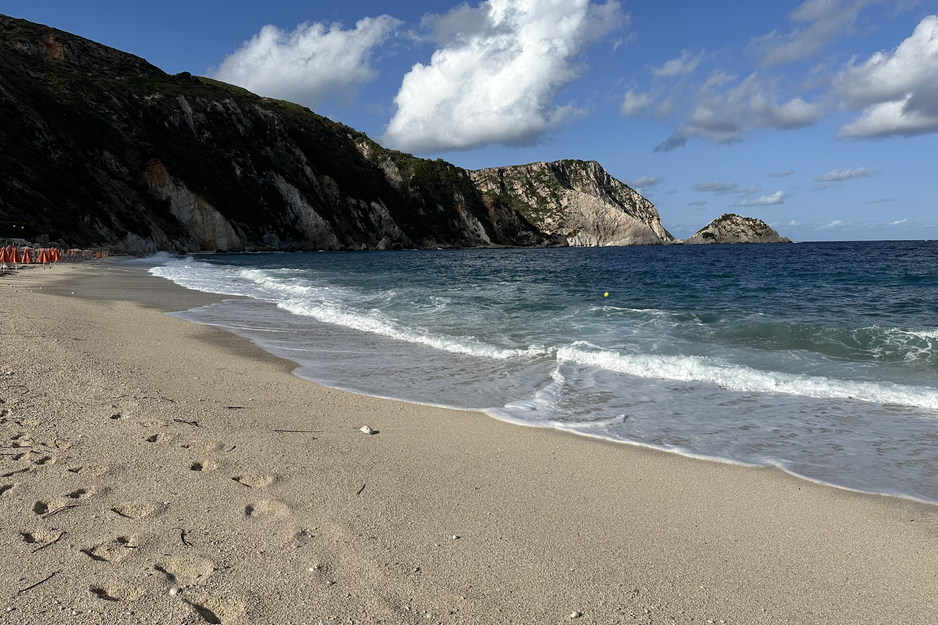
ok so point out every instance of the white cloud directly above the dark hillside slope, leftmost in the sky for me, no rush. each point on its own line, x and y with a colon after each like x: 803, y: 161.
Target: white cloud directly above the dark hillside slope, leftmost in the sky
x: 309, y: 65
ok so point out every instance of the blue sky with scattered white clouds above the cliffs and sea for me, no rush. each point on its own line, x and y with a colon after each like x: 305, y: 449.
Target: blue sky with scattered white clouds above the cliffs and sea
x: 820, y: 117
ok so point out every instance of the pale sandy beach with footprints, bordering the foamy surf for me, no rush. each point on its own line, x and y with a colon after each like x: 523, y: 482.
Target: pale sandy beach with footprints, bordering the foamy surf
x: 158, y: 471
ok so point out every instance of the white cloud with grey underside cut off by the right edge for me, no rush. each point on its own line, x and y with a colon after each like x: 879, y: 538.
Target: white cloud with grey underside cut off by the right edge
x: 898, y: 89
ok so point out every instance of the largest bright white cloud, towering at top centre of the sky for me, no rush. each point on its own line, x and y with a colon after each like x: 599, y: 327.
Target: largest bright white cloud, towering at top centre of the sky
x: 497, y: 73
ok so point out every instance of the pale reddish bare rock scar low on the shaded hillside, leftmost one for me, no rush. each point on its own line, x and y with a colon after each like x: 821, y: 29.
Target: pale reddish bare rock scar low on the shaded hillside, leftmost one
x: 208, y: 227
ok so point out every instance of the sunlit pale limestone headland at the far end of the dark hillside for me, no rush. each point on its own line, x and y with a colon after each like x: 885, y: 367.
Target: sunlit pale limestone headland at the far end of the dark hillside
x: 577, y: 200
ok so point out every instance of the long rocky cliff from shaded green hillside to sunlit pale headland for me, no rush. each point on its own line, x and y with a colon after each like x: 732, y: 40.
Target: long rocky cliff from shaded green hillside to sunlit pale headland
x: 98, y: 147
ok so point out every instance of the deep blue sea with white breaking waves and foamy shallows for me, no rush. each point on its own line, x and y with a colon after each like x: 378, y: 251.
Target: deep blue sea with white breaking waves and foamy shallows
x: 820, y: 358
